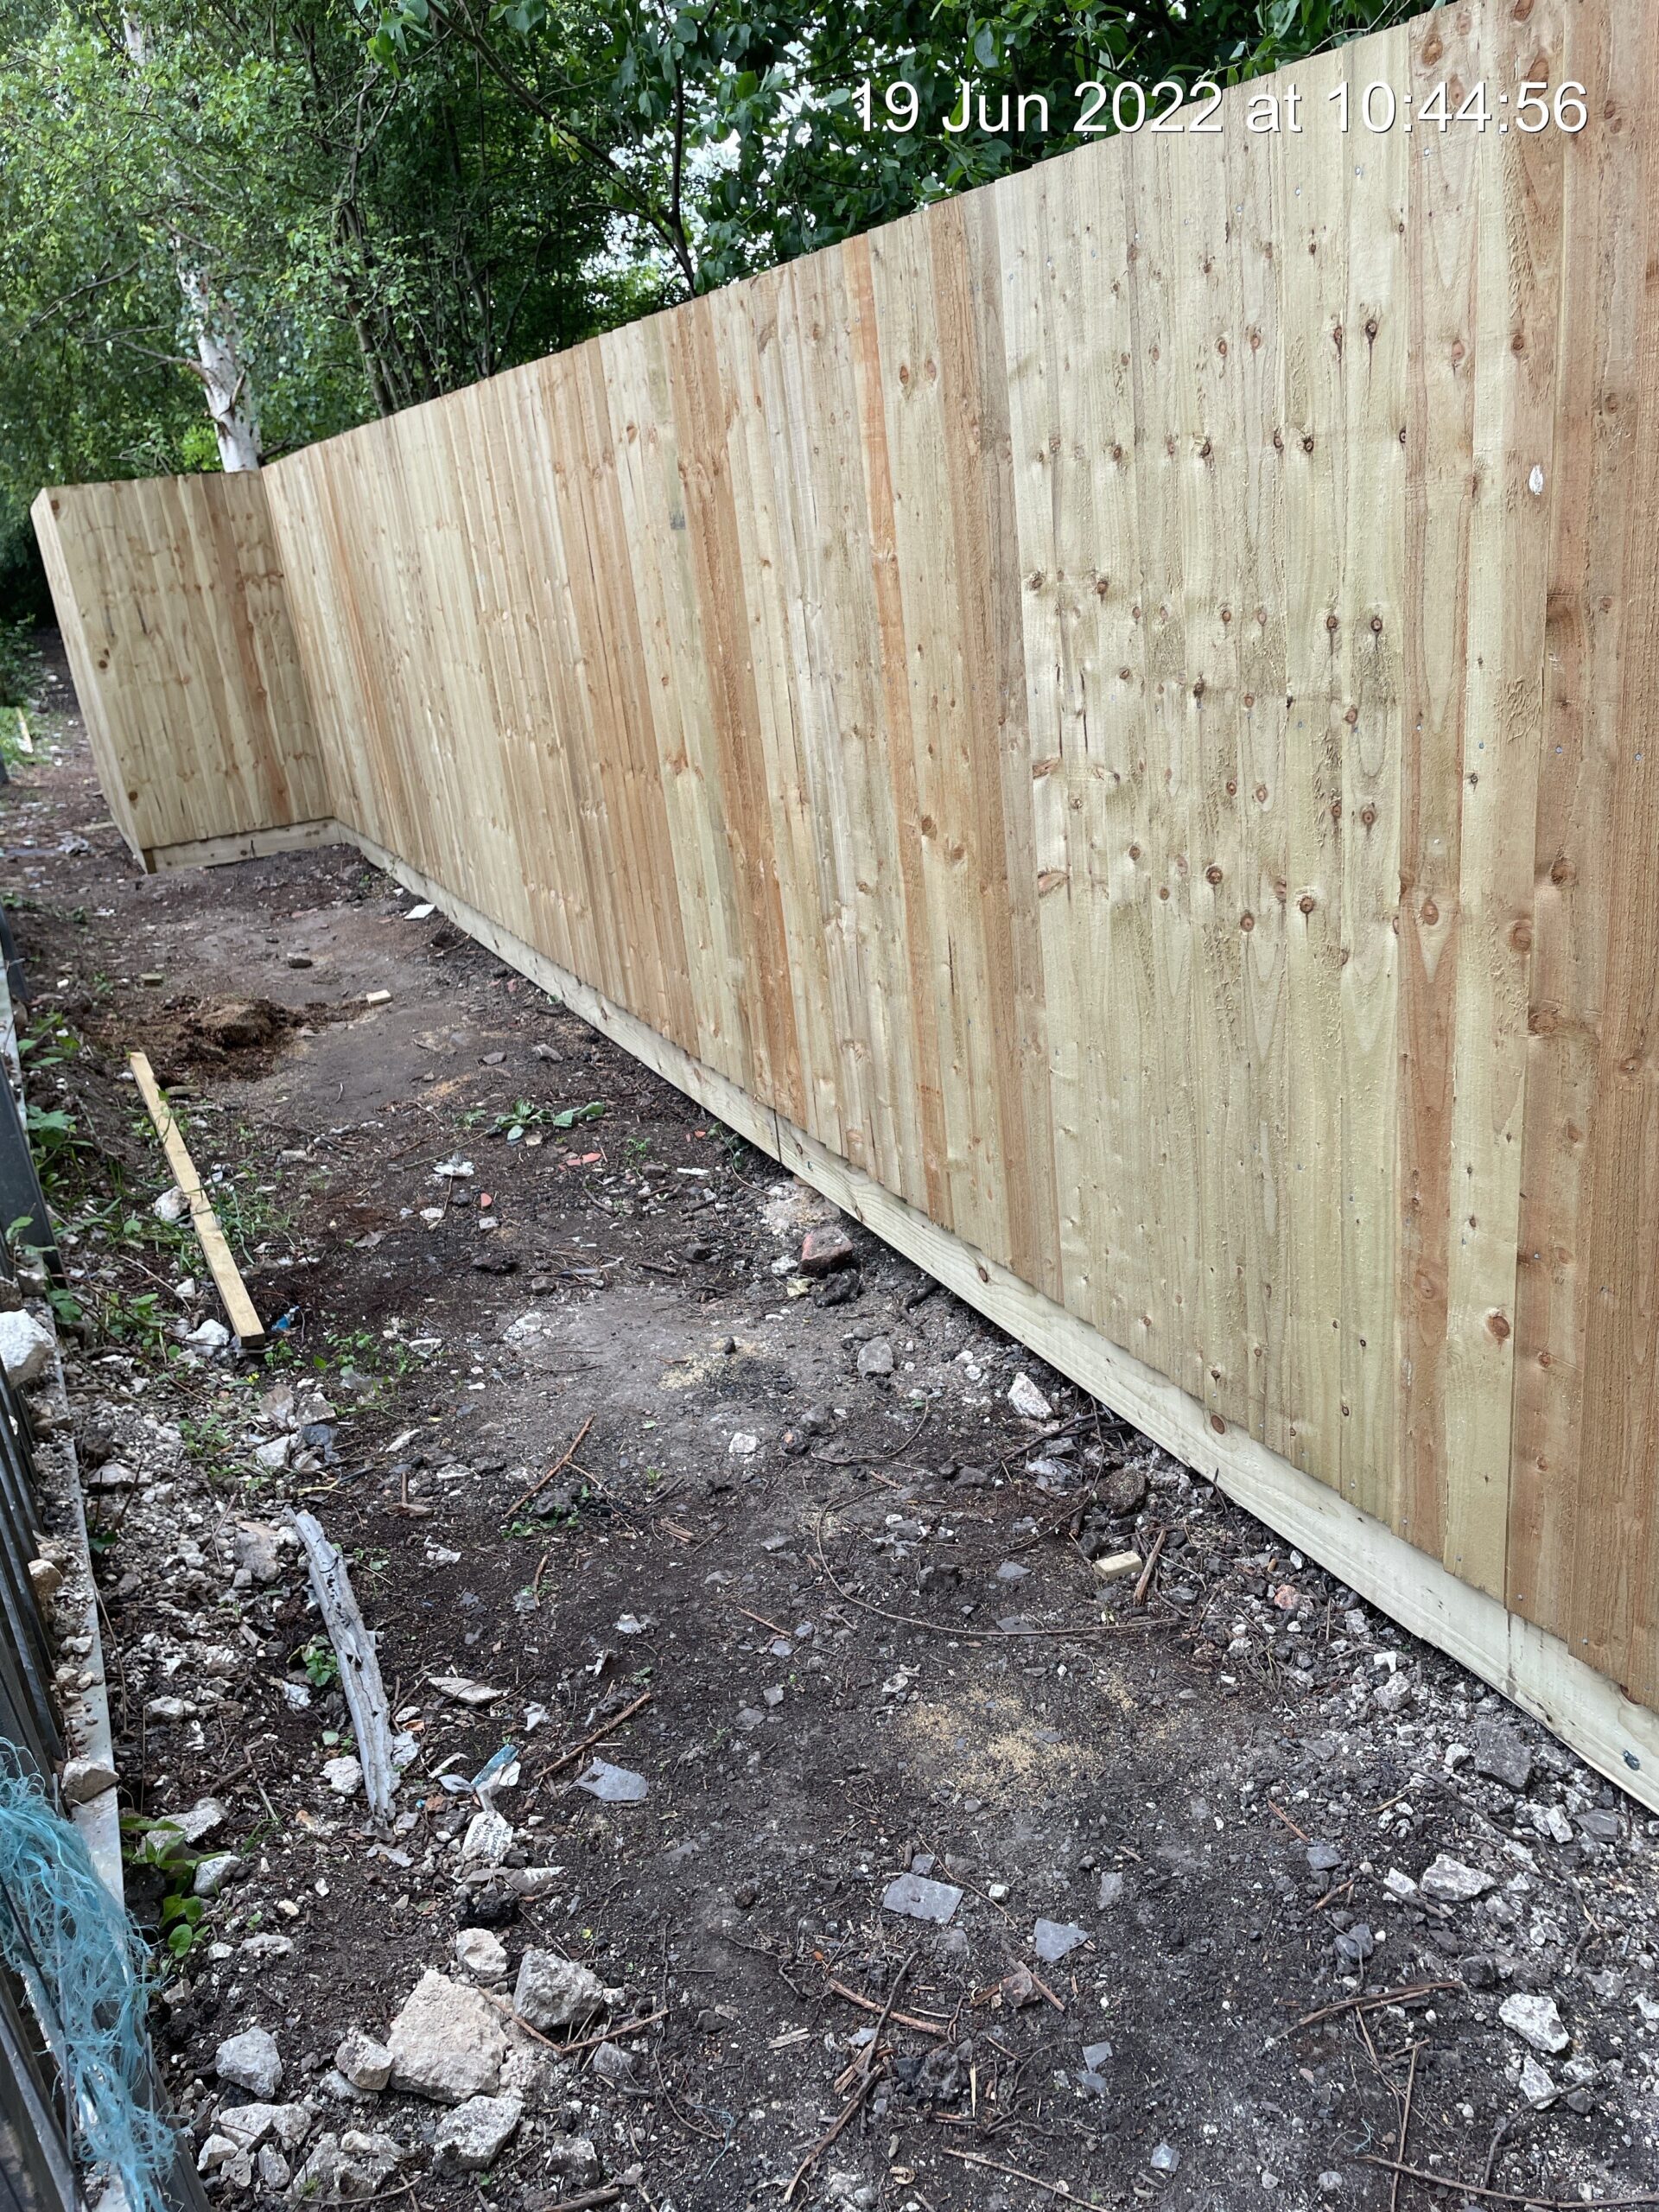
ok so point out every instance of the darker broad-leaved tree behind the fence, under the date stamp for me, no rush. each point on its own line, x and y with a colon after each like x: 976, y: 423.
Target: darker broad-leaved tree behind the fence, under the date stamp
x: 729, y: 136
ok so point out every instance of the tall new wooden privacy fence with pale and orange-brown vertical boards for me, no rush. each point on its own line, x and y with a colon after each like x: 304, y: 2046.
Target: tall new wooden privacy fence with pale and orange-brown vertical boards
x: 1112, y: 727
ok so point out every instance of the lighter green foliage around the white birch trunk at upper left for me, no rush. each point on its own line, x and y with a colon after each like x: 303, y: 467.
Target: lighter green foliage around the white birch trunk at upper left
x: 371, y: 242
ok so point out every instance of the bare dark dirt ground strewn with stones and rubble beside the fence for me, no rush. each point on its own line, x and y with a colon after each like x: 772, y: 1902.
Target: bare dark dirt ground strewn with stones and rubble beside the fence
x: 1253, y: 1892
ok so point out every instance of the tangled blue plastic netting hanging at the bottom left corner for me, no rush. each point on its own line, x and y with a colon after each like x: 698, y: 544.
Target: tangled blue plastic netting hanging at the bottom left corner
x: 83, y: 1965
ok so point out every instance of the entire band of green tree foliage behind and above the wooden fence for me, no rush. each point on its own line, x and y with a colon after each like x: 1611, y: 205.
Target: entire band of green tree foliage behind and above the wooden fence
x: 382, y: 202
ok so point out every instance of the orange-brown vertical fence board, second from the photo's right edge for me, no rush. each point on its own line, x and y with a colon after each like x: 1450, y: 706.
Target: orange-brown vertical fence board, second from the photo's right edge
x: 1576, y: 842
